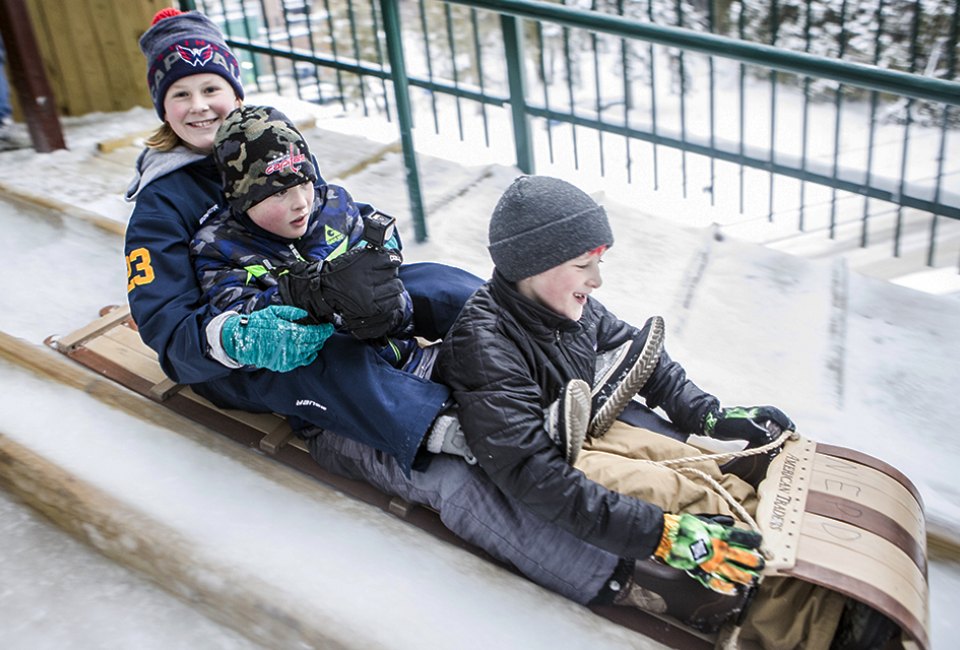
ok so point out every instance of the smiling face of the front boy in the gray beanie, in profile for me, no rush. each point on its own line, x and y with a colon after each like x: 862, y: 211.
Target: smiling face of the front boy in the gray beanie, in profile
x: 564, y: 288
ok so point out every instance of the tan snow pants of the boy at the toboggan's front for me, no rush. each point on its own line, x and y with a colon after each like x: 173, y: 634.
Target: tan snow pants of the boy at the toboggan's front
x: 785, y: 613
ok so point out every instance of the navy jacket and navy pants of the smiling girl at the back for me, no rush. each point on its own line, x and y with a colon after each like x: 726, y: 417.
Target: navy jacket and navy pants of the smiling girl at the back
x: 349, y: 389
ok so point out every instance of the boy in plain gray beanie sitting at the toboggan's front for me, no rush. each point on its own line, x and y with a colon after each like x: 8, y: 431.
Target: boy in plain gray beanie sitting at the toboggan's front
x: 534, y: 334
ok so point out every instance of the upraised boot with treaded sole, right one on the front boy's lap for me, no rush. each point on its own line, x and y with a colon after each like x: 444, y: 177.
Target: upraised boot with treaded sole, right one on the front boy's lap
x: 621, y: 373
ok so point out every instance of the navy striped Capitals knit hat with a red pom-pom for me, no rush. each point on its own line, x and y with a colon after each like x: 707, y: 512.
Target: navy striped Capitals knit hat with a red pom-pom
x: 179, y: 44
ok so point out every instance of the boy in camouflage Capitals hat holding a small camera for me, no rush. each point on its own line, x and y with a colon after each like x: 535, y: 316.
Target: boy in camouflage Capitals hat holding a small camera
x: 289, y: 238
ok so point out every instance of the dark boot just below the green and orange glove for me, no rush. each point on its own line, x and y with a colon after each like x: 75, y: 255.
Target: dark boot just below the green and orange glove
x: 660, y: 589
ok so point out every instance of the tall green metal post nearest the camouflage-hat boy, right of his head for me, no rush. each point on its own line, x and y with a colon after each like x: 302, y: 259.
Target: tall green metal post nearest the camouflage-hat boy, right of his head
x: 398, y: 70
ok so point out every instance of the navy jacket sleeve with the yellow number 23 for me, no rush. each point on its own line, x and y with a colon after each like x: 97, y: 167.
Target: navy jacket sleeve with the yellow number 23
x: 162, y: 289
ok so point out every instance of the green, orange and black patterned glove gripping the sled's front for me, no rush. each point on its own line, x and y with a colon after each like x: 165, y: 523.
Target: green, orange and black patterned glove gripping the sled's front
x: 722, y: 558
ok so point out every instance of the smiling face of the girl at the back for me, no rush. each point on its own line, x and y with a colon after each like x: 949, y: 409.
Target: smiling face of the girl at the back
x: 195, y: 106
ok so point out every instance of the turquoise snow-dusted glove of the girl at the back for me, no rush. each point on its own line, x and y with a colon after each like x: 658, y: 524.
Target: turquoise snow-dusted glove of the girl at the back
x: 271, y: 338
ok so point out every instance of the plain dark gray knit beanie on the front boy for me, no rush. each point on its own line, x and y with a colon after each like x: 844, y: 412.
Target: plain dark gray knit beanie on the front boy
x: 541, y: 222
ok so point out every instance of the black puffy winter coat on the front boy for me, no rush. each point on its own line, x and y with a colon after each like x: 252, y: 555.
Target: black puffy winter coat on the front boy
x: 506, y: 358
